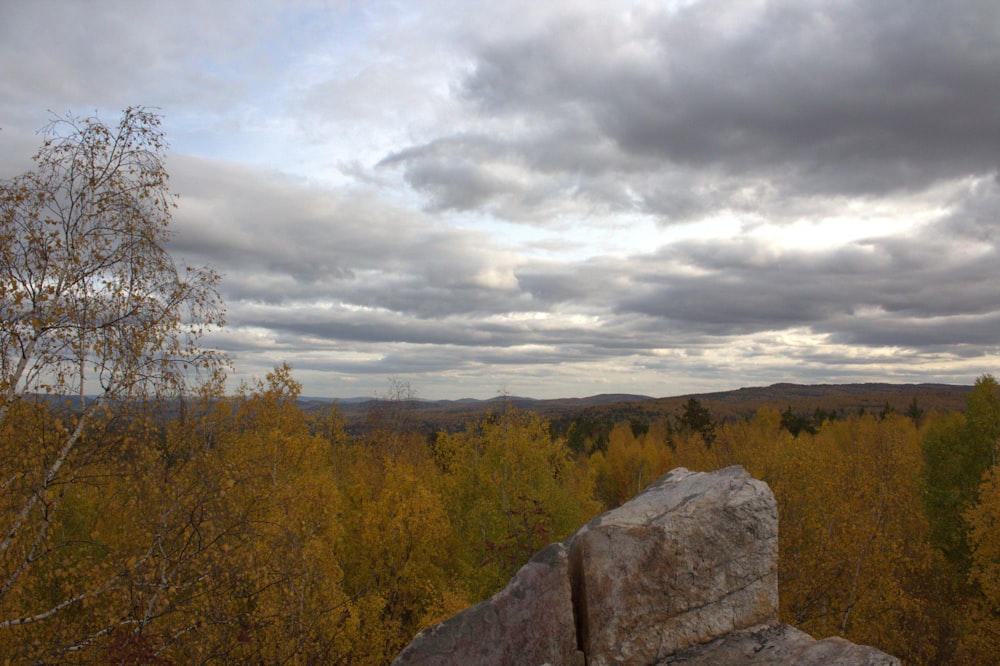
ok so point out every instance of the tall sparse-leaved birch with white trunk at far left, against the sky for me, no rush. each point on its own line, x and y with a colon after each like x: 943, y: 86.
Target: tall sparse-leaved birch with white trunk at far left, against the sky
x: 95, y: 317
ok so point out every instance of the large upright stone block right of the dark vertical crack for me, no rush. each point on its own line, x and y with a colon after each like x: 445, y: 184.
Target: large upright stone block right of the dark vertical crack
x: 691, y: 558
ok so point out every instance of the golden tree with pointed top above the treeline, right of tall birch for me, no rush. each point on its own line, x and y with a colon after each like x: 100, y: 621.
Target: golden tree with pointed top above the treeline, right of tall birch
x: 270, y: 585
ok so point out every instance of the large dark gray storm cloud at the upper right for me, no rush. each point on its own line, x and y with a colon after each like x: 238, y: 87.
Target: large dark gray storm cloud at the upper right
x: 744, y: 105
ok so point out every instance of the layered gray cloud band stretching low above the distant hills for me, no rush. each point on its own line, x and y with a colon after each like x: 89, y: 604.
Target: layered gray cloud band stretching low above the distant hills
x: 345, y: 273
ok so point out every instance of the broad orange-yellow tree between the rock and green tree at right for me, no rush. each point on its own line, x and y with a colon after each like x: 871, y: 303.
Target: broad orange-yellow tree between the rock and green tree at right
x: 853, y: 544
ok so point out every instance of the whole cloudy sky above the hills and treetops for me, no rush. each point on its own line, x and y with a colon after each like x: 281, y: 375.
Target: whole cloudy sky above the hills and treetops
x: 561, y: 198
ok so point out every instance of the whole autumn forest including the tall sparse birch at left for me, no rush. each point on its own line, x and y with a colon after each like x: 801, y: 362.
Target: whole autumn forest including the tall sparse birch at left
x: 150, y: 516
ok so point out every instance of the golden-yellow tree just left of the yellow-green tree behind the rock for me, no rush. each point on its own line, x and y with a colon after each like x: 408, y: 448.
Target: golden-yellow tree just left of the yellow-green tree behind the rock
x: 395, y: 553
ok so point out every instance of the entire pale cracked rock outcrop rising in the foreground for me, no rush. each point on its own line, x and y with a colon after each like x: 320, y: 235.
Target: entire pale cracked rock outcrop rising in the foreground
x: 684, y: 573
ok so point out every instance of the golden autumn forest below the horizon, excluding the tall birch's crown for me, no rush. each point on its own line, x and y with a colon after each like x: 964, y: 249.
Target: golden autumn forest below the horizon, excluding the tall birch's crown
x: 244, y: 529
